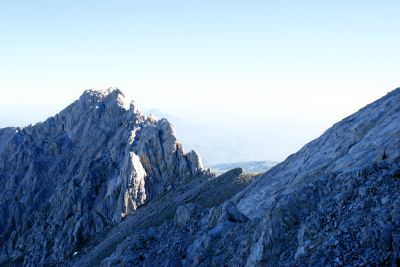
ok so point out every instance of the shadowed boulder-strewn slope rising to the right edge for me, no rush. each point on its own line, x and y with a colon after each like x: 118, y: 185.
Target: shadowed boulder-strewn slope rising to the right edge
x: 336, y: 202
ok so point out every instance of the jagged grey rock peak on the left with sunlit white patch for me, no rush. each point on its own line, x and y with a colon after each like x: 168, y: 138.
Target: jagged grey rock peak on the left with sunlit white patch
x: 81, y: 172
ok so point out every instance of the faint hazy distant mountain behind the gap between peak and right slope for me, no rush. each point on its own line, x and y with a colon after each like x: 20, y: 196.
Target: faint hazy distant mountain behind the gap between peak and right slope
x: 221, y: 142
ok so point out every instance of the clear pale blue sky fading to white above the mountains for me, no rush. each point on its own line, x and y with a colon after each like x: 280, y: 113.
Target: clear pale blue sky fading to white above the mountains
x: 304, y: 64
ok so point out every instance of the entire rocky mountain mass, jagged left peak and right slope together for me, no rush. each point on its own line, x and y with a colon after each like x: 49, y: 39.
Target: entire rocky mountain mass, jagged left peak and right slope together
x: 100, y: 184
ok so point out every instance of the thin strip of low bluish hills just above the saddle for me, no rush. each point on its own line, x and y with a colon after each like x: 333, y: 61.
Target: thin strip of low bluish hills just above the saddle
x: 249, y: 166
